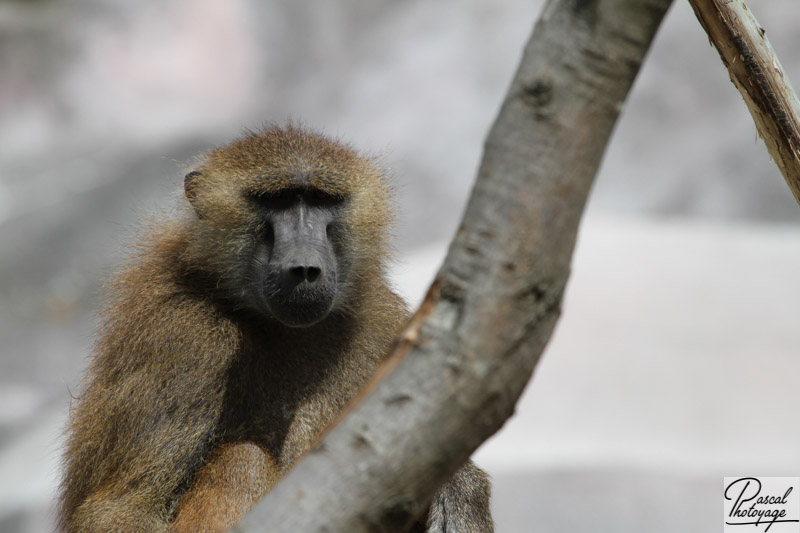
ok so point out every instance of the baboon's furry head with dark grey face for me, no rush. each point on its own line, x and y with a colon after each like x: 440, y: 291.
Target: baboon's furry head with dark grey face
x: 288, y: 223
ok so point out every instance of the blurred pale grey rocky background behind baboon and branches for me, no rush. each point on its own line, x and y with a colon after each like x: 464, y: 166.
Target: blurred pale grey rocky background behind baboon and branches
x: 676, y: 360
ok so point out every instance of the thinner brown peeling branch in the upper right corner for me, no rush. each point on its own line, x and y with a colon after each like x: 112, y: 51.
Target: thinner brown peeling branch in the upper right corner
x: 755, y: 70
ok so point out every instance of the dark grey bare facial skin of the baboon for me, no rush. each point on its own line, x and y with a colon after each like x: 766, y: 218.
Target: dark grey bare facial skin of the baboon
x: 296, y: 271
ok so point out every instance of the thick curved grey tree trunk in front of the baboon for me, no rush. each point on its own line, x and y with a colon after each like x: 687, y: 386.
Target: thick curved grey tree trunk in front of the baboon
x: 463, y: 360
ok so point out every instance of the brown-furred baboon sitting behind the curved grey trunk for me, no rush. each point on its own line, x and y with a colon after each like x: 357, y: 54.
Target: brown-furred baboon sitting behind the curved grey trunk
x: 238, y: 332
